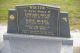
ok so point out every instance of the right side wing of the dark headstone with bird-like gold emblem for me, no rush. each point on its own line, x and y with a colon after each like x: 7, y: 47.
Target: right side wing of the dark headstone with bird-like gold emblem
x: 64, y: 25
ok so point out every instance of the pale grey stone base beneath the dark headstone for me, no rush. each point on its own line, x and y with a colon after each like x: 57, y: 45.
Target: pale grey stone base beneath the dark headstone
x: 20, y: 43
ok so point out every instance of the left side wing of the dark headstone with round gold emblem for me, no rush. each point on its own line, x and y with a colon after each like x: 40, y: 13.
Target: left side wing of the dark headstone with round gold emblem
x: 12, y: 21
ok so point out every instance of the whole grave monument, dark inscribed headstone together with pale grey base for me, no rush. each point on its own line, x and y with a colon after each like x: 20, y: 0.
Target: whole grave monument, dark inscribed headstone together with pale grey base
x: 37, y: 28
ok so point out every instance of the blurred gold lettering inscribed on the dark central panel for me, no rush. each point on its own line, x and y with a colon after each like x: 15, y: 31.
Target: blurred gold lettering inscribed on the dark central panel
x: 37, y: 20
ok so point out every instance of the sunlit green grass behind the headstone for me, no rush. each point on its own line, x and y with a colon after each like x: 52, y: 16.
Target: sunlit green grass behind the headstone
x: 71, y: 6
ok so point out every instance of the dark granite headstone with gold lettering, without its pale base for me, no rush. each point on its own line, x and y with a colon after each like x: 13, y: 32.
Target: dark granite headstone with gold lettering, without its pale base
x: 38, y: 19
